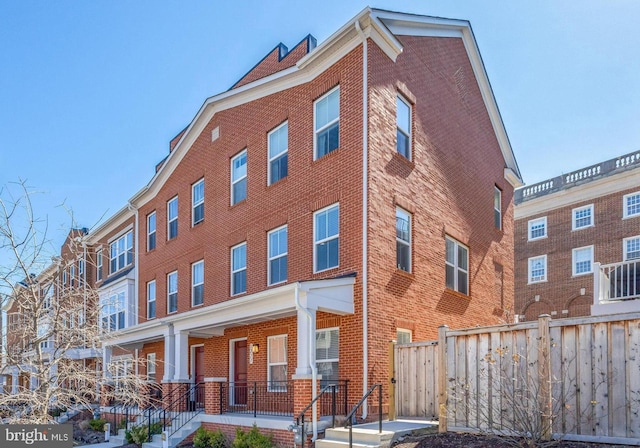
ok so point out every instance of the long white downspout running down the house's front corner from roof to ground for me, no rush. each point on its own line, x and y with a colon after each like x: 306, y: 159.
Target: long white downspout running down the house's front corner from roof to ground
x: 365, y: 207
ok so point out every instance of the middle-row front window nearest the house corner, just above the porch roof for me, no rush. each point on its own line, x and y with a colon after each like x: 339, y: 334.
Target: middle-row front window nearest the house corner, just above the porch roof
x: 326, y: 245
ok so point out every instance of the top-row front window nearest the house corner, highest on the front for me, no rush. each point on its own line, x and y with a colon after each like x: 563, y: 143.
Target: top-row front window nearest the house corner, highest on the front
x: 327, y: 123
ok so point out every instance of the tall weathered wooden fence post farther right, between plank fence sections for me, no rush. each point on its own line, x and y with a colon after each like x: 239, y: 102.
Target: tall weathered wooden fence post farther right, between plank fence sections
x: 544, y: 376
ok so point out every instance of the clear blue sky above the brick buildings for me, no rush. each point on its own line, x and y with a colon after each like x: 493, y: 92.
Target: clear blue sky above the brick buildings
x: 91, y: 92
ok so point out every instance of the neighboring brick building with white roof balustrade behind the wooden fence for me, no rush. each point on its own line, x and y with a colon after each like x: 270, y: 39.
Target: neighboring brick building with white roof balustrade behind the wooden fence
x: 578, y: 242
